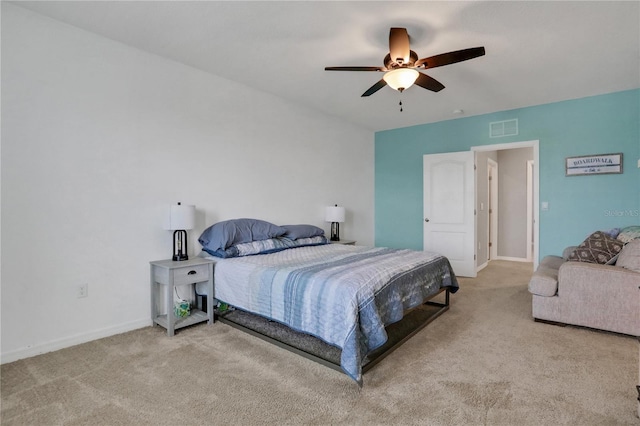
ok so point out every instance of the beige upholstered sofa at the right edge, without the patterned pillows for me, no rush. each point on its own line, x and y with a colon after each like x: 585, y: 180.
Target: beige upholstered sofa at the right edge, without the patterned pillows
x: 605, y: 297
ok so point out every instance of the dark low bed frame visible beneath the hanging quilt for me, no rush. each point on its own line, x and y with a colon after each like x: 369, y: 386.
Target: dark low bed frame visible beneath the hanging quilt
x: 316, y: 350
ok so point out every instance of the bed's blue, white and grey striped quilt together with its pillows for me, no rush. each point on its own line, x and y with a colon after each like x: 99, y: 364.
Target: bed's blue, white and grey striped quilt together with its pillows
x: 343, y: 295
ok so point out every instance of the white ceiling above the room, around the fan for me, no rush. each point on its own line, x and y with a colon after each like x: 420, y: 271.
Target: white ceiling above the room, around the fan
x: 537, y: 52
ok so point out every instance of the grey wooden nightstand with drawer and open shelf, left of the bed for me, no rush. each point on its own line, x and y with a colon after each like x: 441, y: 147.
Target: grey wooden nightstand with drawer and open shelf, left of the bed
x: 172, y: 274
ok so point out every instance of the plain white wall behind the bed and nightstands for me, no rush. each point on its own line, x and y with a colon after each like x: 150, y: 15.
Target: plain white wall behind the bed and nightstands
x: 98, y: 138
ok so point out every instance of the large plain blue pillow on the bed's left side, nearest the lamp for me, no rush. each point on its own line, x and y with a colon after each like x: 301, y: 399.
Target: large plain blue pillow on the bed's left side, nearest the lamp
x: 237, y: 231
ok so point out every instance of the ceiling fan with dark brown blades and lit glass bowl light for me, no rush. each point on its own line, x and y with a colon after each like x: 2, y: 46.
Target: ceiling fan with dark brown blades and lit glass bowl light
x: 401, y: 64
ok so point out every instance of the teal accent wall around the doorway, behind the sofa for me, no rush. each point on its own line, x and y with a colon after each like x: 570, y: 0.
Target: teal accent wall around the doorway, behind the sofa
x: 578, y: 205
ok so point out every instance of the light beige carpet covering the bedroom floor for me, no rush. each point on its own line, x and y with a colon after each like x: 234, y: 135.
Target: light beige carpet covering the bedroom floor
x: 485, y: 361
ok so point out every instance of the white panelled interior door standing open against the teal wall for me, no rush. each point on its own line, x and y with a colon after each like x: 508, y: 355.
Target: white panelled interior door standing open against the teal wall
x: 449, y: 209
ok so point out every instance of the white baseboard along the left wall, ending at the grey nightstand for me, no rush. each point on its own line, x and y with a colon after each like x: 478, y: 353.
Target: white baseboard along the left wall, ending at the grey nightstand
x: 66, y: 342
